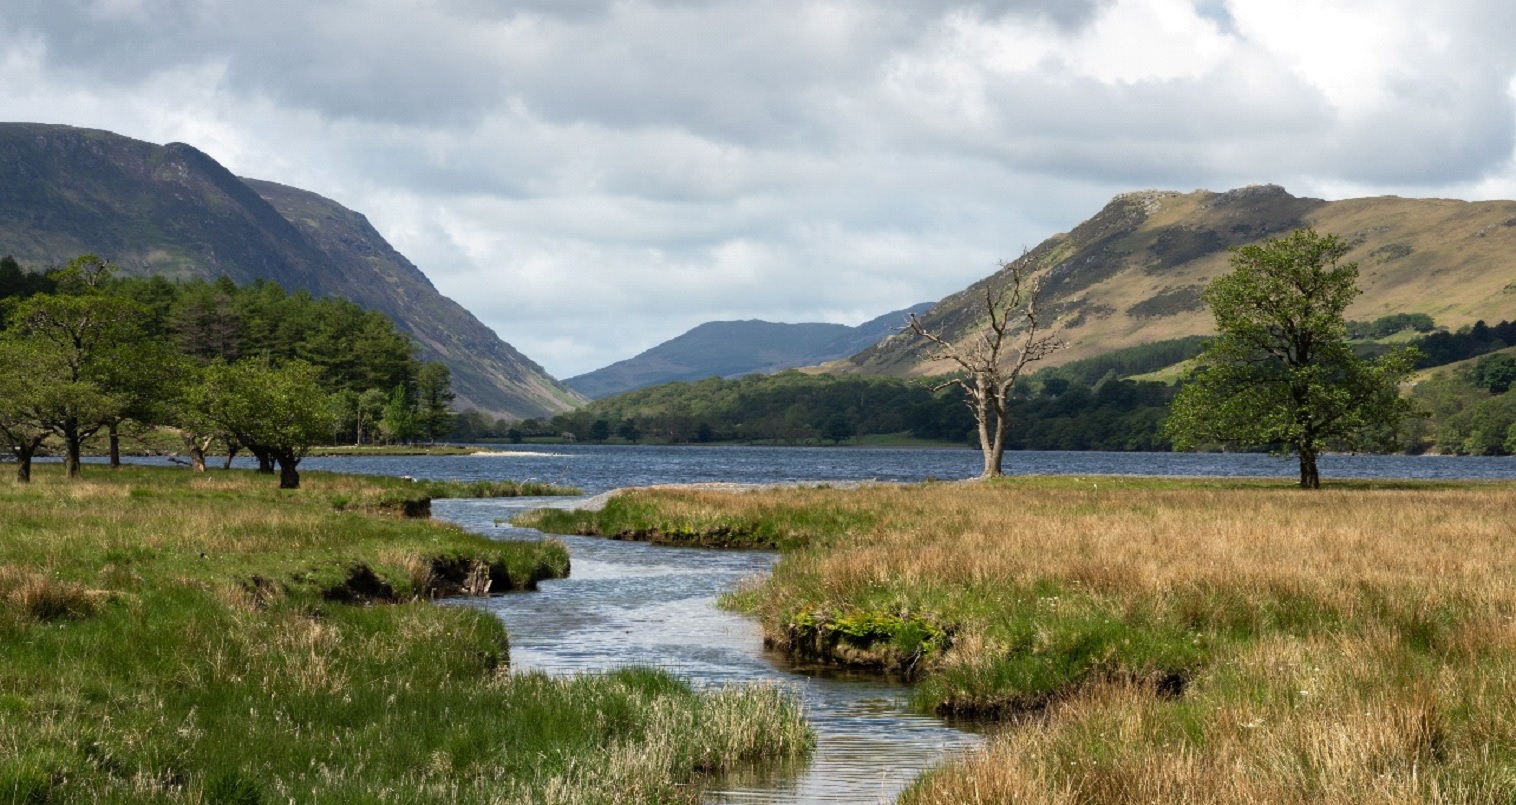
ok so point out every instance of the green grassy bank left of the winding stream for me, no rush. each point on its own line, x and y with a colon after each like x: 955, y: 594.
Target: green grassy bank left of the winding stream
x: 204, y: 637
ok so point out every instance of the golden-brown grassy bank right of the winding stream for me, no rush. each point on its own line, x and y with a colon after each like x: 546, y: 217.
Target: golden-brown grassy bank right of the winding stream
x: 1153, y: 641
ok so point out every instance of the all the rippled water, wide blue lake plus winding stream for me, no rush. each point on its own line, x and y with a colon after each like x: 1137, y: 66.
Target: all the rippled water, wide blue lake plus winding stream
x: 630, y: 604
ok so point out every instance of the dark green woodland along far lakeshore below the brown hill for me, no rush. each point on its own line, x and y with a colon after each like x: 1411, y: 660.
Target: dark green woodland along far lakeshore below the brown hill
x: 1083, y: 406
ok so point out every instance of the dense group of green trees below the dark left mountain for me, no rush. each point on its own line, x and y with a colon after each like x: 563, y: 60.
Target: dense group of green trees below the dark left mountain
x: 255, y: 369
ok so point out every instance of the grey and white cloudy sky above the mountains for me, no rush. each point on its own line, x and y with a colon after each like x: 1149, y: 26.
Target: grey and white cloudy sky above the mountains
x: 597, y: 177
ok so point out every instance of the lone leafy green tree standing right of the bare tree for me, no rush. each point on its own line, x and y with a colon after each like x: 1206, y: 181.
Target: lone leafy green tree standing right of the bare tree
x: 1280, y: 372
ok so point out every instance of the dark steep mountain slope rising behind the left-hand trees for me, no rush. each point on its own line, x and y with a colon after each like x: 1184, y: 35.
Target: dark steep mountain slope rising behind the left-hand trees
x: 174, y: 211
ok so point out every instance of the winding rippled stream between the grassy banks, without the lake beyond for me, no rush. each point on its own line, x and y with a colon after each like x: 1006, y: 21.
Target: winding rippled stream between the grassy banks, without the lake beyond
x: 633, y: 604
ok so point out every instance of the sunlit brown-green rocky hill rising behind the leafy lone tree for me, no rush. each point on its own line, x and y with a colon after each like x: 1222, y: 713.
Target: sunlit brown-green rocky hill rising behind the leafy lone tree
x: 1133, y: 274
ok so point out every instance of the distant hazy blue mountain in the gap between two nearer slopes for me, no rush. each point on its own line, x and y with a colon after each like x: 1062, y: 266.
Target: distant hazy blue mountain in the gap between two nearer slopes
x: 730, y: 349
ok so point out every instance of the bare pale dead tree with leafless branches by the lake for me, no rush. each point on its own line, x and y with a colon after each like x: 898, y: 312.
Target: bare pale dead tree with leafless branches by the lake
x: 995, y: 359
